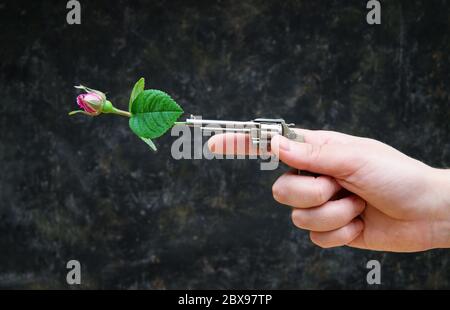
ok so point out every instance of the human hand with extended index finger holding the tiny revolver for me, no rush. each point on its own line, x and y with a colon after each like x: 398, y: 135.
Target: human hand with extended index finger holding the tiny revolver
x: 391, y: 202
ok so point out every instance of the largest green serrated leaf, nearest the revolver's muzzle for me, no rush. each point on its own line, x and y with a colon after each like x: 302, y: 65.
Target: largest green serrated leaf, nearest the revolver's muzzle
x: 153, y: 113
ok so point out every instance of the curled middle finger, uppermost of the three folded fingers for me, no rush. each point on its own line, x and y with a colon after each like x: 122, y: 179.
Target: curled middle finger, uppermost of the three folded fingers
x: 300, y: 191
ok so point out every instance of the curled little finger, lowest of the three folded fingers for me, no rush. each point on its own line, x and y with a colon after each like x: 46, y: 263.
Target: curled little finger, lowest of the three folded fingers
x: 338, y: 237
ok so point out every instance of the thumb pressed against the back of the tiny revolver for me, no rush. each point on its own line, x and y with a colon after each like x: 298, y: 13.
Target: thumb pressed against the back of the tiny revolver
x: 338, y: 160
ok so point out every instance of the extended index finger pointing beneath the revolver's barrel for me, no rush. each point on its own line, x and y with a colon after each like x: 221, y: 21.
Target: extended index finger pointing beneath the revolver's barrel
x: 232, y: 144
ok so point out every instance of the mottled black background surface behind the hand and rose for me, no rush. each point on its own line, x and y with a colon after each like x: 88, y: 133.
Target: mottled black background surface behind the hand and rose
x: 88, y: 189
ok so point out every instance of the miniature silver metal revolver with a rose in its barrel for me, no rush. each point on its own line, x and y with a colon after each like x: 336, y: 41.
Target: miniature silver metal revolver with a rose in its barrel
x: 260, y: 130
